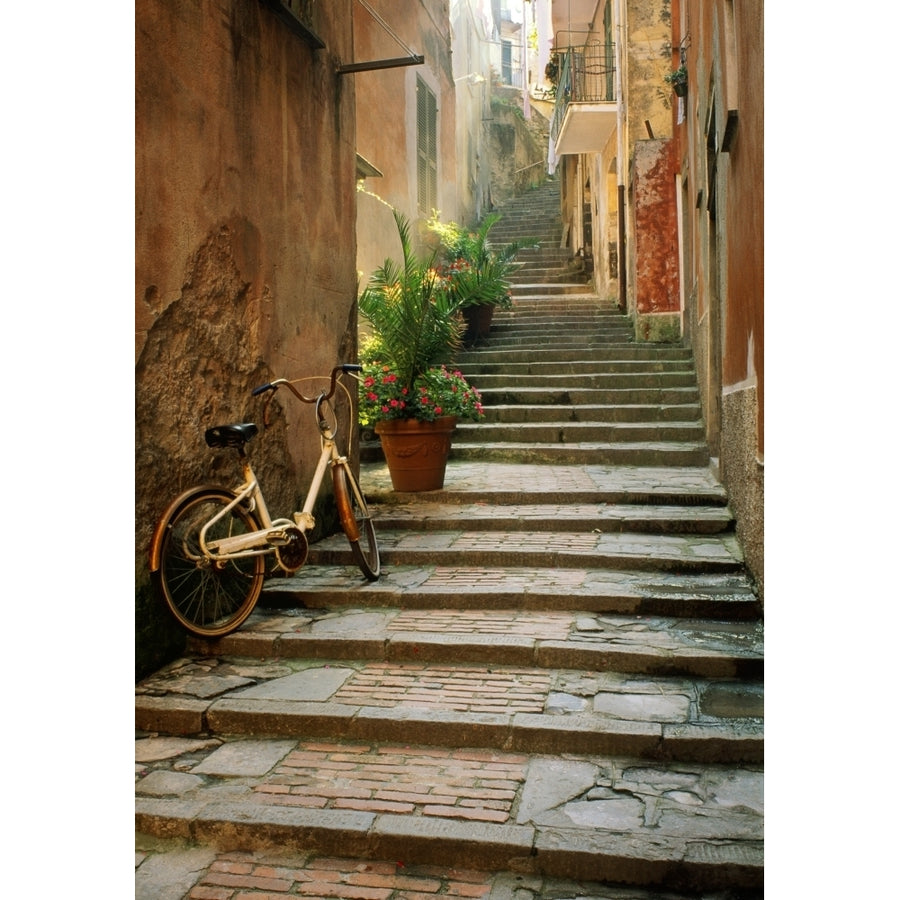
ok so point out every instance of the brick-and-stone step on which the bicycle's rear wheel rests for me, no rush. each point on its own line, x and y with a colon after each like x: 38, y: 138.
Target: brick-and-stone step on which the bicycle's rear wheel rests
x: 547, y: 639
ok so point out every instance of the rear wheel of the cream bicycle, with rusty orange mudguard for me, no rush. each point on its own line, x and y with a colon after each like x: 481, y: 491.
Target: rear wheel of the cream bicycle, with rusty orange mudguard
x: 208, y: 598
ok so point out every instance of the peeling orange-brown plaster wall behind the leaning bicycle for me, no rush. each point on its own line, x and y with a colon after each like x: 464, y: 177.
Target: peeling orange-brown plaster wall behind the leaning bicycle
x: 244, y: 246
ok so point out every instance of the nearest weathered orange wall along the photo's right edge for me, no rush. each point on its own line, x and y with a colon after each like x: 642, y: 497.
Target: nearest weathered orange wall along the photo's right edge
x: 721, y: 148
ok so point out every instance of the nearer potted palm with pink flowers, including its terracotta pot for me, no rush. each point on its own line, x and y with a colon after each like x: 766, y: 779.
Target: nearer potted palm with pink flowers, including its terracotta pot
x: 407, y: 391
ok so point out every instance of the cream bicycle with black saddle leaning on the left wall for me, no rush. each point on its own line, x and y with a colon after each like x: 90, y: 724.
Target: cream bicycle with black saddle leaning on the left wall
x: 207, y: 552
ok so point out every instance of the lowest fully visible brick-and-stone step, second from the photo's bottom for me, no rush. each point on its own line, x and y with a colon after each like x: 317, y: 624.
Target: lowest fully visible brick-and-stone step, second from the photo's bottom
x: 589, y: 817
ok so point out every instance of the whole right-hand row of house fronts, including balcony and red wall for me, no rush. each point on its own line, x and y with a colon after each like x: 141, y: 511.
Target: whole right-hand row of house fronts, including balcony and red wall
x: 662, y: 195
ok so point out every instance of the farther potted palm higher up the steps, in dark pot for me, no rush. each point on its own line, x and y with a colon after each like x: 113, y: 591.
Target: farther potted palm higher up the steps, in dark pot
x: 478, y: 271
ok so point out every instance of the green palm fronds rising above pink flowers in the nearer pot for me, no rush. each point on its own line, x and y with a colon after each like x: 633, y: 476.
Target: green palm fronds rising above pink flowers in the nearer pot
x: 414, y: 316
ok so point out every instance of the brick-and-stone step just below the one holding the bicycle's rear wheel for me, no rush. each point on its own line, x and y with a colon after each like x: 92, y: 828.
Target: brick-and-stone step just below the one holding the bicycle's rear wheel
x: 535, y: 709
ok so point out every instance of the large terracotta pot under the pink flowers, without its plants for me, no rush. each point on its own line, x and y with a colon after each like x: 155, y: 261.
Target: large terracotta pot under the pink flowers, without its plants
x: 416, y: 452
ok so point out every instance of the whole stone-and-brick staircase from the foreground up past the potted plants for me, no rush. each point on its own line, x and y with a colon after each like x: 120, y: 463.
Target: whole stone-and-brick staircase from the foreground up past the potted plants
x: 554, y: 690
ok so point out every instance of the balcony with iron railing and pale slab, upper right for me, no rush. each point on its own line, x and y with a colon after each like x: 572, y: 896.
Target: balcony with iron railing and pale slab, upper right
x: 585, y: 113
